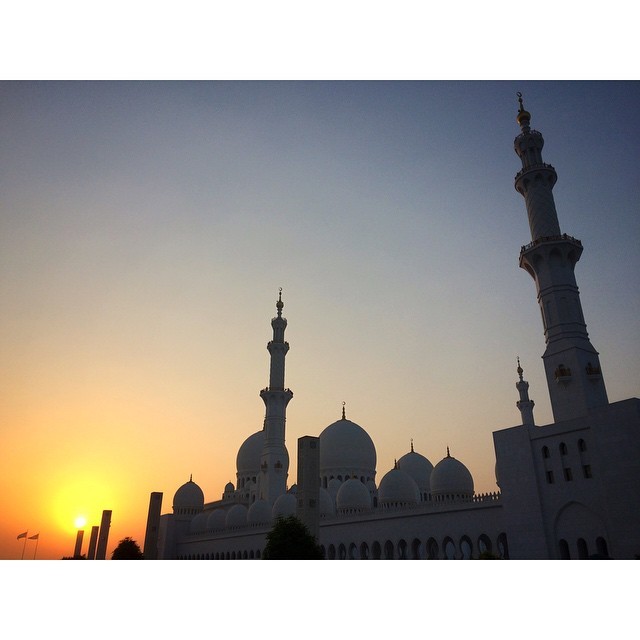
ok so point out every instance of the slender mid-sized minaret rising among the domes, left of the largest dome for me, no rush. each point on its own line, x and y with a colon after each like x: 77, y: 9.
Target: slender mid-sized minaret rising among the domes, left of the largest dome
x: 274, y: 461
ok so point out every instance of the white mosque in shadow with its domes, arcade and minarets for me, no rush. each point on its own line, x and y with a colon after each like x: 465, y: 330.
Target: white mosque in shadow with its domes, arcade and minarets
x: 567, y: 490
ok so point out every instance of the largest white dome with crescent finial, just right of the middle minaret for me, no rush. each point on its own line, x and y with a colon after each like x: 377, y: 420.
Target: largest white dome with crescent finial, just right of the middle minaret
x: 347, y: 450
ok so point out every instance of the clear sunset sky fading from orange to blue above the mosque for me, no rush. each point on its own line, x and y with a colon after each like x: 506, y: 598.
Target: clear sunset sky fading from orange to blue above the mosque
x: 145, y: 229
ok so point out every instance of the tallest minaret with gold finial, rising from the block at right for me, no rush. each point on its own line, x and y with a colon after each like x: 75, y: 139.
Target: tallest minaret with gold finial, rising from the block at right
x: 571, y: 363
